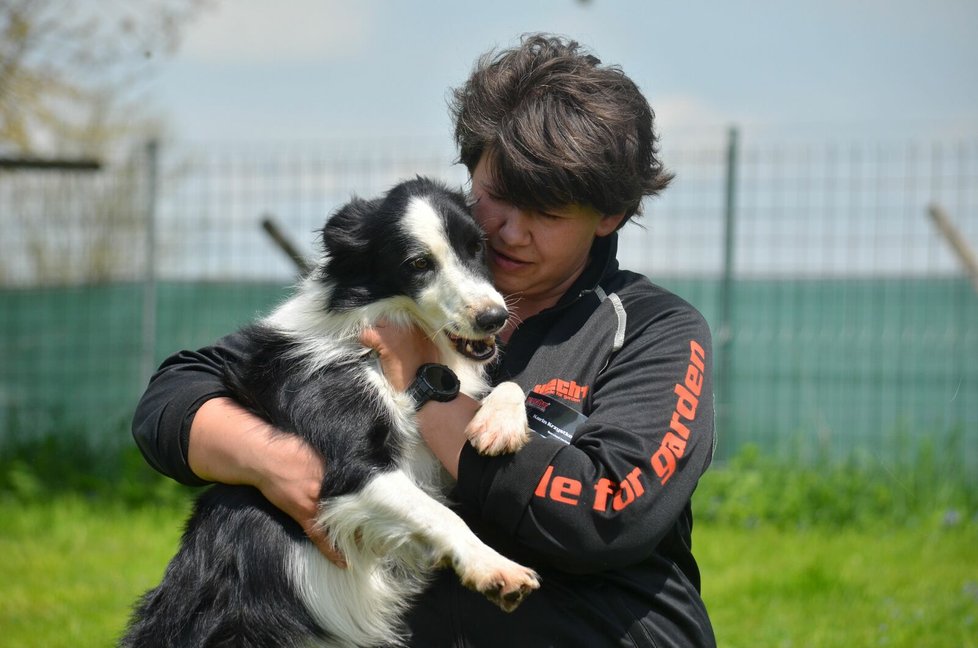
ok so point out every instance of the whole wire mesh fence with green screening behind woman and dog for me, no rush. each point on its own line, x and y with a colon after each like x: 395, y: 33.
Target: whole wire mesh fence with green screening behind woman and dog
x: 845, y: 320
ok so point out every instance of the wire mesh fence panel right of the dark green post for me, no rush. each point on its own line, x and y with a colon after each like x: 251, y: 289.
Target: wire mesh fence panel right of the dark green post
x: 853, y: 323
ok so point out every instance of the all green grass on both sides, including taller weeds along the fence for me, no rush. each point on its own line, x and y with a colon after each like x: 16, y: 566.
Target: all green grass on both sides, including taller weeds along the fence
x: 821, y: 557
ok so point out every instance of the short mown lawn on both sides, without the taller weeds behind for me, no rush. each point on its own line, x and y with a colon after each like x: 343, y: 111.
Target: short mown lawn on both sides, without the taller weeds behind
x: 71, y: 568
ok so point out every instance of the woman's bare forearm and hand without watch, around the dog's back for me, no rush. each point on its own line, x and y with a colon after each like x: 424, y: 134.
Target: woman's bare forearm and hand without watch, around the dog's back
x: 230, y: 445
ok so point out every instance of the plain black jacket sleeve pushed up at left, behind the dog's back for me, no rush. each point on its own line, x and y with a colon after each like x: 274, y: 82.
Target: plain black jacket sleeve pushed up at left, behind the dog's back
x: 184, y: 382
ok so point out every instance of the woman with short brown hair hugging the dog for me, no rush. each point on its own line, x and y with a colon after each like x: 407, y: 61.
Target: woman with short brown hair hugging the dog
x: 561, y: 151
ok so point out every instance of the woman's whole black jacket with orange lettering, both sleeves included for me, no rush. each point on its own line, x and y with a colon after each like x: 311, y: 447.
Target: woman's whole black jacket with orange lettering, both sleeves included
x: 602, y: 510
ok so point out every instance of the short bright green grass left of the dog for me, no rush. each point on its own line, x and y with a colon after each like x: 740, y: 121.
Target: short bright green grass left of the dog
x: 72, y: 567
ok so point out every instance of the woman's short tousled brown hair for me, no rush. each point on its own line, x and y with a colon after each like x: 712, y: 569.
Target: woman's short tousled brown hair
x: 559, y: 128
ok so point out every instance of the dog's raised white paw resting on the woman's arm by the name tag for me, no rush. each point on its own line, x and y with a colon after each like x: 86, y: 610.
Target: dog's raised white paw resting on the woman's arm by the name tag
x: 500, y: 424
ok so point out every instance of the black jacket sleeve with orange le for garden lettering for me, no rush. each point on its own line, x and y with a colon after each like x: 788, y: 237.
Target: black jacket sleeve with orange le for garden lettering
x: 608, y: 498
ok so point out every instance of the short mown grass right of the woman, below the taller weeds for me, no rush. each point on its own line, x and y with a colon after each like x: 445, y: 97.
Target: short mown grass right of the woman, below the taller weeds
x: 820, y: 587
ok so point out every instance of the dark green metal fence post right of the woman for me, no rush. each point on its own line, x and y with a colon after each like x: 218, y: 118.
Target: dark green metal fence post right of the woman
x: 724, y: 337
